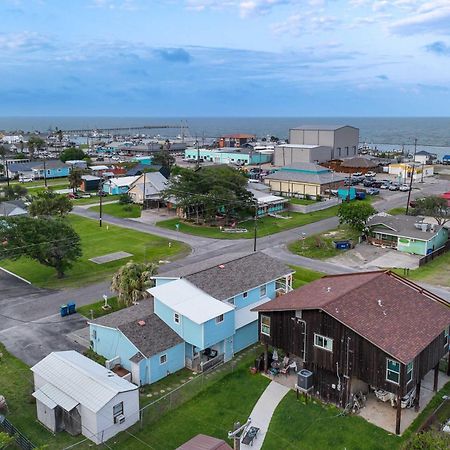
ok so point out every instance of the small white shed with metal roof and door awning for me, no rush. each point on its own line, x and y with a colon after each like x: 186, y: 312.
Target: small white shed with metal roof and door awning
x: 75, y: 394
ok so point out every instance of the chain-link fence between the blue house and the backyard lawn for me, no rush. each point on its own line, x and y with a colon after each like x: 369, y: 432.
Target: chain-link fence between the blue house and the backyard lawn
x: 180, y: 395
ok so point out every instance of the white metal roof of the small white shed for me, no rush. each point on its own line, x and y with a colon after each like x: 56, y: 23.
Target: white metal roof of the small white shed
x: 81, y: 379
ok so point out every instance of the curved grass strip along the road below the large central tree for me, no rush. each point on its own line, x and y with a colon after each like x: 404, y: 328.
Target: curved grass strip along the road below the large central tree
x: 266, y: 225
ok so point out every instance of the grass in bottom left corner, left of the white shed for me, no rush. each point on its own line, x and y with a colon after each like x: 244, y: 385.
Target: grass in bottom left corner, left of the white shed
x: 16, y: 383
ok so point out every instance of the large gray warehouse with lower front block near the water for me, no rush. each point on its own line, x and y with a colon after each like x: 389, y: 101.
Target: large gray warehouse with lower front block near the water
x: 317, y: 144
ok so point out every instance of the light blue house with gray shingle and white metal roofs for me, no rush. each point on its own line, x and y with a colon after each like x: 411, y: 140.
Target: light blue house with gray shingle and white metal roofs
x: 202, y: 315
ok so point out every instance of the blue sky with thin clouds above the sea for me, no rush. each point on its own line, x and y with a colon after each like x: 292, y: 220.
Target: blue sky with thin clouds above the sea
x: 239, y: 58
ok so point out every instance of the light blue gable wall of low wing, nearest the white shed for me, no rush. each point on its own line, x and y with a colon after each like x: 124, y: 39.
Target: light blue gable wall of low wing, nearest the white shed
x: 110, y: 343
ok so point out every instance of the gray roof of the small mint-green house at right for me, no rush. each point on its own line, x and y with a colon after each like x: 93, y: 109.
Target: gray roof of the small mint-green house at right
x: 401, y: 226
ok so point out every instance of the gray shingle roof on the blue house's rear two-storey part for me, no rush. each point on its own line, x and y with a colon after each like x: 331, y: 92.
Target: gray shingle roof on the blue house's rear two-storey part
x: 238, y: 275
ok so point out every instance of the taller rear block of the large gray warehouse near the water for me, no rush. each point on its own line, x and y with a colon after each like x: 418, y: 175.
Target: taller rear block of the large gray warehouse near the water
x: 343, y: 140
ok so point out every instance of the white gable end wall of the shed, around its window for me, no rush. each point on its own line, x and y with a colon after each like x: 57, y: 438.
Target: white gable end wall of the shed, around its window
x: 105, y: 426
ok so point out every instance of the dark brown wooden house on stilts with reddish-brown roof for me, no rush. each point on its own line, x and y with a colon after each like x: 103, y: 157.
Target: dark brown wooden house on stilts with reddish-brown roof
x: 360, y: 331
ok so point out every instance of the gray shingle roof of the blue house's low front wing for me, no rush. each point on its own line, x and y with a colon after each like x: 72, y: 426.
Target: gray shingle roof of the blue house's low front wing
x: 153, y: 337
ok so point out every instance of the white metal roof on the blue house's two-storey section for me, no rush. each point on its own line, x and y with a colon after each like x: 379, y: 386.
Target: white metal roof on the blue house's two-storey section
x: 184, y: 298
